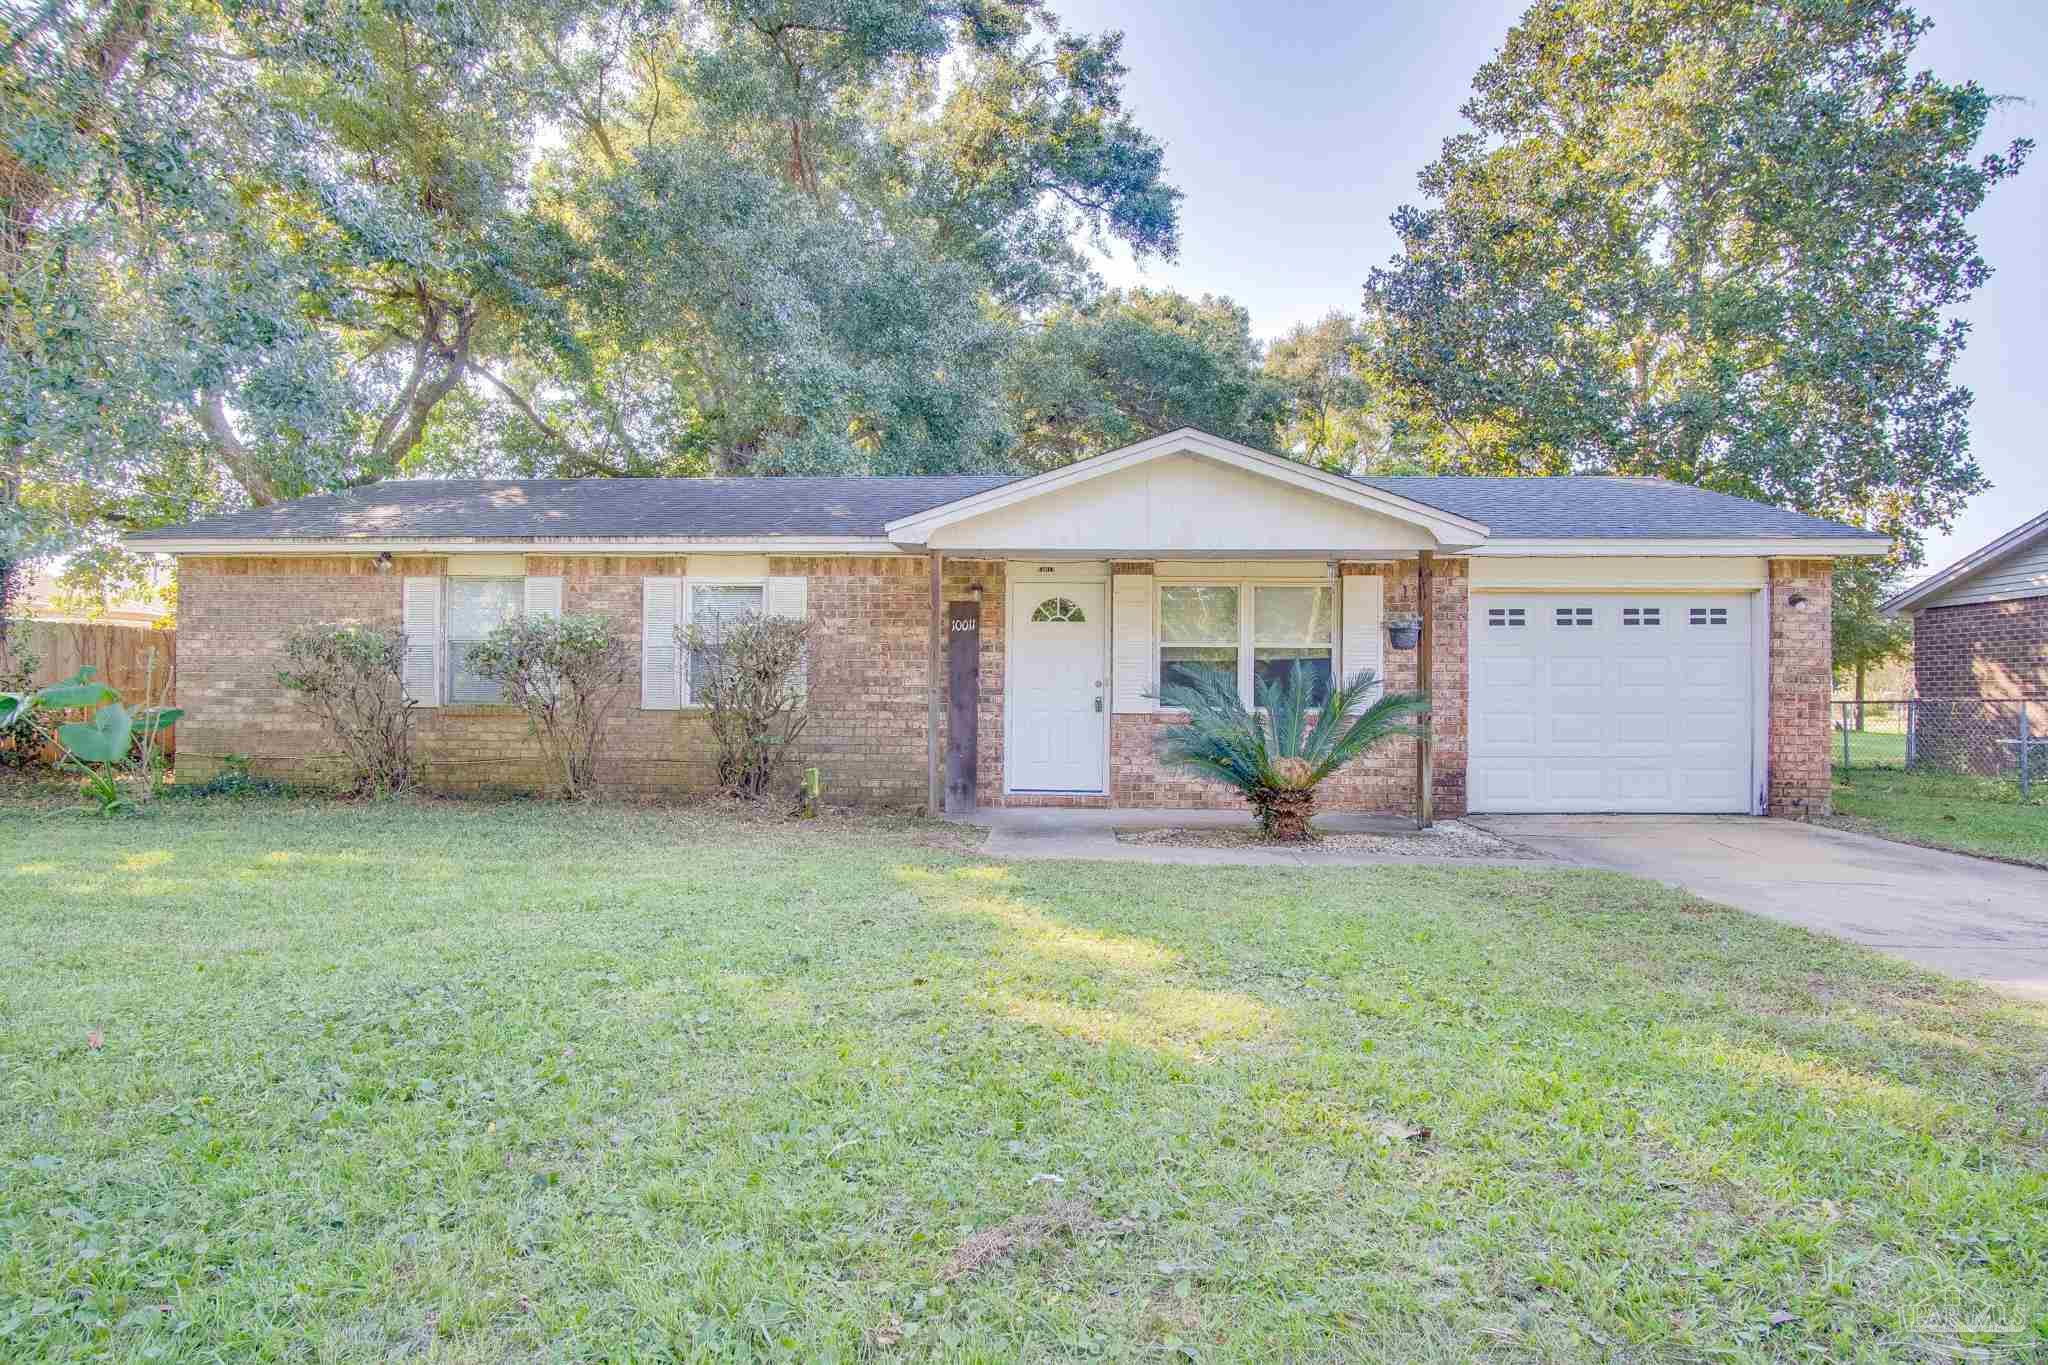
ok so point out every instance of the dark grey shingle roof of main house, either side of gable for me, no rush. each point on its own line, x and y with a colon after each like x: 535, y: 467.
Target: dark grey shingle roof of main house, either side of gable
x: 749, y: 509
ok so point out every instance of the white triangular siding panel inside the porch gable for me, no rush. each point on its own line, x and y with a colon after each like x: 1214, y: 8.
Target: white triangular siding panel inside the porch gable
x: 1187, y: 504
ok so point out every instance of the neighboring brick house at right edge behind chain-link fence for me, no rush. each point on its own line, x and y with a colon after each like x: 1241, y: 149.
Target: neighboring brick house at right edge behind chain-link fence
x: 1979, y: 646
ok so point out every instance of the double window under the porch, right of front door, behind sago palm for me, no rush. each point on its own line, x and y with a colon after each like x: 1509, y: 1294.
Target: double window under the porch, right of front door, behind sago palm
x: 1248, y: 635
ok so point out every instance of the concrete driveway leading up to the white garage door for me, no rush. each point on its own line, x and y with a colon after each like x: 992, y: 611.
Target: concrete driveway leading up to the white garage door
x: 1961, y: 916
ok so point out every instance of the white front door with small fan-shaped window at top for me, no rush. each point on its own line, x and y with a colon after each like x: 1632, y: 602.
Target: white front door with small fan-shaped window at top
x: 1058, y: 687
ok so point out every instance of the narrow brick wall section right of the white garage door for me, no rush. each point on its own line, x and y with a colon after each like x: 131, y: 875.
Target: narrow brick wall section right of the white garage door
x: 1803, y: 676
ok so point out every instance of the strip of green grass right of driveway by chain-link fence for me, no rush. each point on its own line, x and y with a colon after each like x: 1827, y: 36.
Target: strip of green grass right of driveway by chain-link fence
x: 1949, y: 811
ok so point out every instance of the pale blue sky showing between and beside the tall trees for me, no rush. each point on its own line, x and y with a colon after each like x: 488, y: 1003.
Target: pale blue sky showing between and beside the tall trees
x: 1297, y: 128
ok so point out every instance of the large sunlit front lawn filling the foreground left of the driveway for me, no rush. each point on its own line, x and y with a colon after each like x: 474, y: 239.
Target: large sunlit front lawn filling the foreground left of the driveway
x: 290, y: 1082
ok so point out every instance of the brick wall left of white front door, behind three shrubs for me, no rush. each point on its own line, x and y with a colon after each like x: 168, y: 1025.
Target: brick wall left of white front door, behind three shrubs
x: 867, y: 676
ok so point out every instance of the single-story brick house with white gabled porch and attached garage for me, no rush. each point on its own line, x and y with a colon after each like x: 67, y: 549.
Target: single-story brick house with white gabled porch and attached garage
x: 1586, y: 644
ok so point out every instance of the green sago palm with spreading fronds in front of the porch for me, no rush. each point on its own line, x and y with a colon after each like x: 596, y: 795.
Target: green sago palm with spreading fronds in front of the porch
x: 1281, y: 752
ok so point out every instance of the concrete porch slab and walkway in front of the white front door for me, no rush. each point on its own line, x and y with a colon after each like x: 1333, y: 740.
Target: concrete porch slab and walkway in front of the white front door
x: 1091, y: 836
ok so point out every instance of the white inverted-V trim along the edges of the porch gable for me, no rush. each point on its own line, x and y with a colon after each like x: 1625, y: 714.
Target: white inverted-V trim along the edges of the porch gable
x: 1187, y: 441
